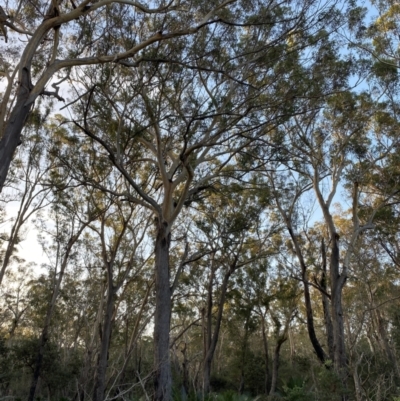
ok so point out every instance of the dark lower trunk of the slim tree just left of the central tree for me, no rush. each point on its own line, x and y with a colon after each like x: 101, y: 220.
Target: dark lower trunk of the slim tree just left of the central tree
x: 100, y: 380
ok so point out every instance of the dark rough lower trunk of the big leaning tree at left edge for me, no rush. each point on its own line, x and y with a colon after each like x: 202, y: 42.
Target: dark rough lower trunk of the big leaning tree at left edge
x: 11, y: 137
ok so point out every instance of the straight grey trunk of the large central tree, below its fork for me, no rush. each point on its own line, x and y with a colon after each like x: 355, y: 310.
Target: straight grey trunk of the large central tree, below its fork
x: 162, y: 318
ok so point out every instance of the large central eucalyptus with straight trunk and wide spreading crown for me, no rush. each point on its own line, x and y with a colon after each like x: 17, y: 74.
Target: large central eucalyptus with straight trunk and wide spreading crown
x: 171, y: 121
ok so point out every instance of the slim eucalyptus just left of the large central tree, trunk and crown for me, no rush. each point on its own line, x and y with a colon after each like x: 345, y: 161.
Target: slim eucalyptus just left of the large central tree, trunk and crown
x: 121, y: 231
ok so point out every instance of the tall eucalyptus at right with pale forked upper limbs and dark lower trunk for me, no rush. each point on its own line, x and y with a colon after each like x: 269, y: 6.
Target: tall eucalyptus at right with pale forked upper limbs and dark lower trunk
x: 339, y: 145
